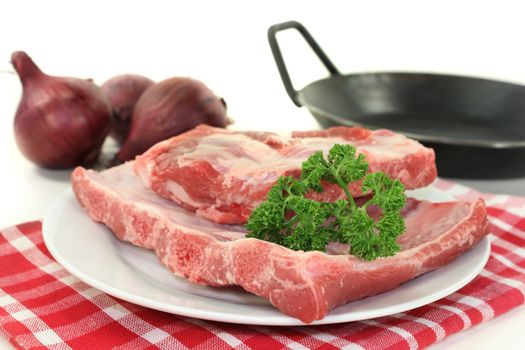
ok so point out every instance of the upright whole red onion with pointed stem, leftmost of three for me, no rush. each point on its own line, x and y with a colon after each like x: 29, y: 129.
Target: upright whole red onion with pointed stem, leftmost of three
x: 60, y: 122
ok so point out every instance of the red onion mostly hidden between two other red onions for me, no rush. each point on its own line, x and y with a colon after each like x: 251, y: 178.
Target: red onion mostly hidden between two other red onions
x: 122, y: 92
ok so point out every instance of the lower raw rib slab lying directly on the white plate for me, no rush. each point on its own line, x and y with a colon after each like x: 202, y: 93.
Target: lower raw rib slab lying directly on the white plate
x: 305, y: 285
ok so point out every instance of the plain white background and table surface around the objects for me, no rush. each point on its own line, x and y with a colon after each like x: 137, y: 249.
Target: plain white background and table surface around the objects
x: 224, y: 44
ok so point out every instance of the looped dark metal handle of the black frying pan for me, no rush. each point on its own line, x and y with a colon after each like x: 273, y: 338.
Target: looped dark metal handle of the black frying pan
x: 281, y: 66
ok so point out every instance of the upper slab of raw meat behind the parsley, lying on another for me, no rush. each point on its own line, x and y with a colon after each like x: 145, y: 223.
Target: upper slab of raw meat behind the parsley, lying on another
x: 223, y: 175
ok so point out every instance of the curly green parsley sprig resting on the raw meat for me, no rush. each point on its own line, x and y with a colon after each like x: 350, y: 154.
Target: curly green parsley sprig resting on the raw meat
x: 290, y: 219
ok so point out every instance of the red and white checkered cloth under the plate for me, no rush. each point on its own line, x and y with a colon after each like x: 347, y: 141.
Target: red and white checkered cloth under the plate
x: 43, y: 306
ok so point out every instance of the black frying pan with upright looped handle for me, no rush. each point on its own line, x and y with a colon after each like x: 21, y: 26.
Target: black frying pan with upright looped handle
x: 476, y: 126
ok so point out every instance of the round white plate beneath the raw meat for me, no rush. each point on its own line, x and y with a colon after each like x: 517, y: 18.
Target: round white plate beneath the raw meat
x: 90, y: 252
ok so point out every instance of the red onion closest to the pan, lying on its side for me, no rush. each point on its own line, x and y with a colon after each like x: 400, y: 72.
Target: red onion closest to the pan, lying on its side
x: 169, y: 108
